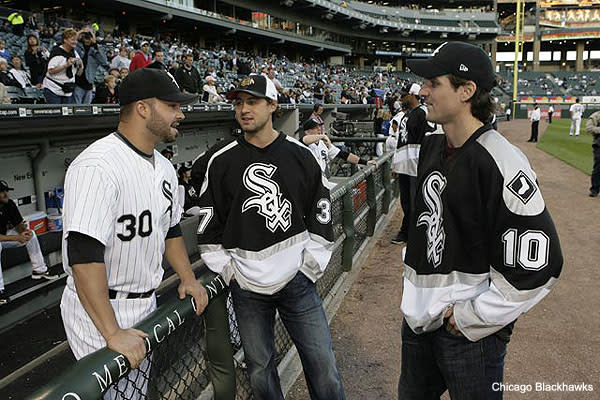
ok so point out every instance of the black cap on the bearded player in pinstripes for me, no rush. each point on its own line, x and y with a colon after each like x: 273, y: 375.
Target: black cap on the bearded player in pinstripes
x: 146, y: 83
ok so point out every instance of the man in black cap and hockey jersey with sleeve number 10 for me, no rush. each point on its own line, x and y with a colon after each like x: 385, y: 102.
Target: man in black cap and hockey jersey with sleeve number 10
x: 483, y: 249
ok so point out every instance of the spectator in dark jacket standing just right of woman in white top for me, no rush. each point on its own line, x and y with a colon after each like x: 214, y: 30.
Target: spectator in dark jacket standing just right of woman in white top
x: 92, y: 58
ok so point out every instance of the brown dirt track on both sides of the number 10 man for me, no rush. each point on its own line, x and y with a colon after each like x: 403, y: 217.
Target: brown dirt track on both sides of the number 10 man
x: 558, y: 341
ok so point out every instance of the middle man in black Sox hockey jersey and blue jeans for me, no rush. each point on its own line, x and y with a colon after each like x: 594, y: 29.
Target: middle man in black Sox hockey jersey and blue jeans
x: 266, y: 228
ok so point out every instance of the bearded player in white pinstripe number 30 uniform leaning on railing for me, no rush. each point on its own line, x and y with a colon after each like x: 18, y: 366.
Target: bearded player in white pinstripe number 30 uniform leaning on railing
x: 121, y: 214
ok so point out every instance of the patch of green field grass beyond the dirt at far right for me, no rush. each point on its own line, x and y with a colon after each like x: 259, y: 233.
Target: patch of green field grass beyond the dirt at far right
x: 574, y: 150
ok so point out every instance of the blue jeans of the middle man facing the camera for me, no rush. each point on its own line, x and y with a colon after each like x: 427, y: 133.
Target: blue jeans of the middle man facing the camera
x: 301, y: 311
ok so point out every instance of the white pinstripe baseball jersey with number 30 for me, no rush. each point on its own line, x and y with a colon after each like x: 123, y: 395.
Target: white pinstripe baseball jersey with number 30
x: 127, y: 200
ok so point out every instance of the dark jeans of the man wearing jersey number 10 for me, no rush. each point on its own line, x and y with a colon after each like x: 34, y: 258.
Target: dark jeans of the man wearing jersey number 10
x: 435, y: 361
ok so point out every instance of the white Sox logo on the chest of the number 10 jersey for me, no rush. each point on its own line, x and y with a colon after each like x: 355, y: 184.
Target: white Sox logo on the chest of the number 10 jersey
x: 433, y: 187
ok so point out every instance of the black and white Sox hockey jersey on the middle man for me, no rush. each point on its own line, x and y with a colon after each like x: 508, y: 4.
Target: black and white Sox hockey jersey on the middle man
x: 265, y: 213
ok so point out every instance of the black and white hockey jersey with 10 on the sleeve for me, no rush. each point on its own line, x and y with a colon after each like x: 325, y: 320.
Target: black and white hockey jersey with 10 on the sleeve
x: 481, y: 238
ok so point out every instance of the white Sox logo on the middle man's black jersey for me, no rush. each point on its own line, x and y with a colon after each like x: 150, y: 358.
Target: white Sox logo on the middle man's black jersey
x: 269, y: 202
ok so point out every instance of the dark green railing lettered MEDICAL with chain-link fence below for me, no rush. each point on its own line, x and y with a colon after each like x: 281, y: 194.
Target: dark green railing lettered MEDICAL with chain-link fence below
x: 191, y: 357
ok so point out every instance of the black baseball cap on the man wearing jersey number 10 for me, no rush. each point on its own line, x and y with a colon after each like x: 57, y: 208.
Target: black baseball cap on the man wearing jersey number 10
x: 457, y: 58
